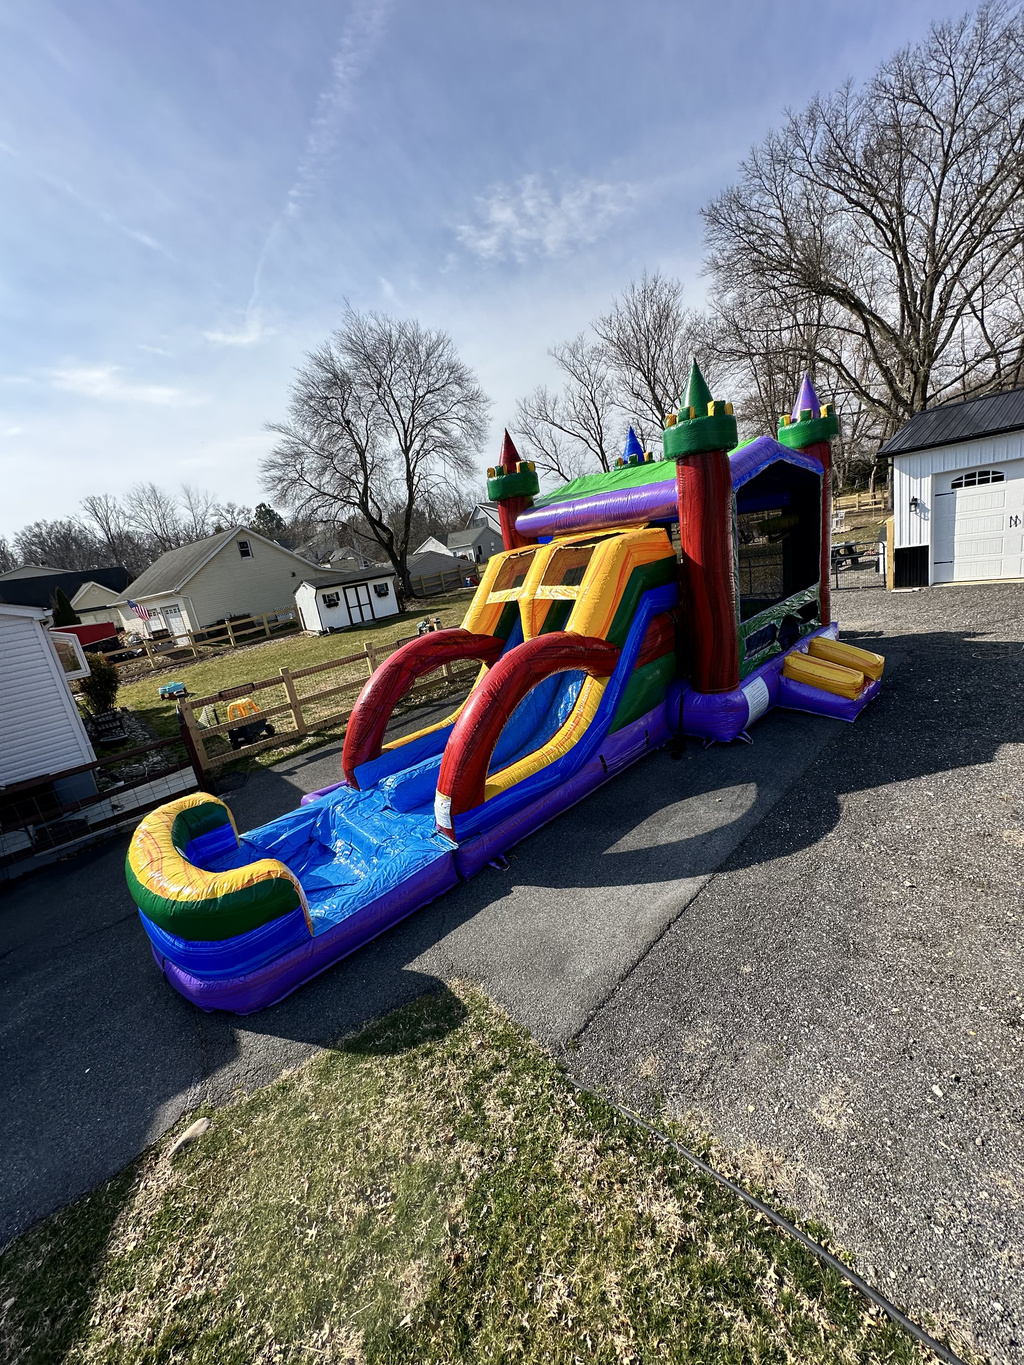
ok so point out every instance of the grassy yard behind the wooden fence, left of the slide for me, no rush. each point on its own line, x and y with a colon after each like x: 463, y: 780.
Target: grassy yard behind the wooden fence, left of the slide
x: 293, y: 652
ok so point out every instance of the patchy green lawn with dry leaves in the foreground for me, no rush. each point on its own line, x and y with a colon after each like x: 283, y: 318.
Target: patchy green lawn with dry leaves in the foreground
x: 429, y: 1191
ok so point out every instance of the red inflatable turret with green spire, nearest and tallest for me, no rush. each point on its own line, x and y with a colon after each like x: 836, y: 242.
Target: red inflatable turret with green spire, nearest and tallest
x: 700, y: 439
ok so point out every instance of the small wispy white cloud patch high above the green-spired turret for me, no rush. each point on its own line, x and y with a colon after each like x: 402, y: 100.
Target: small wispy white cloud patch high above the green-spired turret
x: 529, y: 220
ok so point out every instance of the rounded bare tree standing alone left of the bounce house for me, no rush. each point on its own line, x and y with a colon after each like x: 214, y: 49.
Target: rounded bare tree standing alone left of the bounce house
x: 383, y: 420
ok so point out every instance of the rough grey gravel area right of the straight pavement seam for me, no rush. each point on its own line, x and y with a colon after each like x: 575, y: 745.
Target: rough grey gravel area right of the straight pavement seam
x: 842, y: 1004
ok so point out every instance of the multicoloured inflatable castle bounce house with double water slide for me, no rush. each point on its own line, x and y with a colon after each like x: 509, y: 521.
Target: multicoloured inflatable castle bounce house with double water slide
x: 597, y: 642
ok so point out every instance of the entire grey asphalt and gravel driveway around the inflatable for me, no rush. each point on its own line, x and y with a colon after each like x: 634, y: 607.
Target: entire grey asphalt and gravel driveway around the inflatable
x: 797, y: 974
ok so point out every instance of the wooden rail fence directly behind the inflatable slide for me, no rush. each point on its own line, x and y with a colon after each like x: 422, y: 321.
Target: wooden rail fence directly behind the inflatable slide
x: 297, y: 698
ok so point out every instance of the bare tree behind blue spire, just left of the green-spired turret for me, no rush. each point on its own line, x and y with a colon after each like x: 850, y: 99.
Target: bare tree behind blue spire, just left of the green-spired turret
x: 651, y: 341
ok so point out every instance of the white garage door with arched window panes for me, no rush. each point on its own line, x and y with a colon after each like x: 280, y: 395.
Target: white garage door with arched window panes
x: 980, y: 523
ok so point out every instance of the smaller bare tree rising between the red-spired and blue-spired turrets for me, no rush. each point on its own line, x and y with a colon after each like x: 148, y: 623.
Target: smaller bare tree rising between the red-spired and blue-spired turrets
x: 565, y: 433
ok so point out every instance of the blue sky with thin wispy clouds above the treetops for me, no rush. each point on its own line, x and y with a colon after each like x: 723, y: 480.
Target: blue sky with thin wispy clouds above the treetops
x: 190, y: 192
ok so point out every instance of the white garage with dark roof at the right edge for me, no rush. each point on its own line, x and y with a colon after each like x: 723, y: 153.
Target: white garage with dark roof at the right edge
x: 959, y: 493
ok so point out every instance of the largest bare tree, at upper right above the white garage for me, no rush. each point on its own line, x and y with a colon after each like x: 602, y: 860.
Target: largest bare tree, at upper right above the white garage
x: 894, y: 215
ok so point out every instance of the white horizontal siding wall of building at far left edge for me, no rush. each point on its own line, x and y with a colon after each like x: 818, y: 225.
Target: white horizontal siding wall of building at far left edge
x: 40, y: 728
